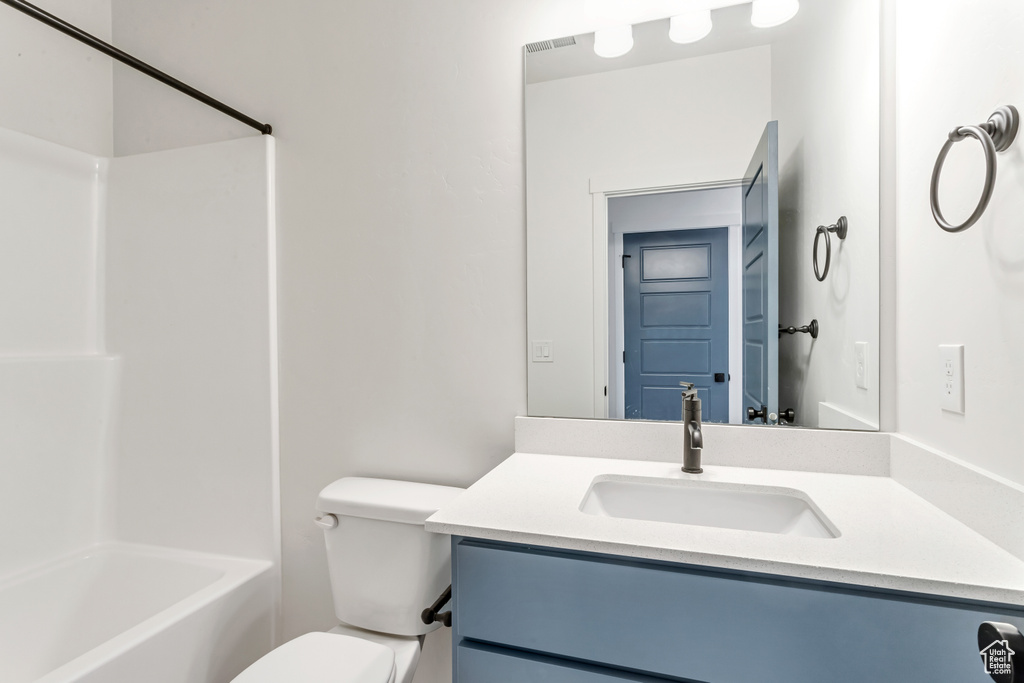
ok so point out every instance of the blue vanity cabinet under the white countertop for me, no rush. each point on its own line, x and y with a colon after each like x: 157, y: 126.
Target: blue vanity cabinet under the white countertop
x: 535, y: 614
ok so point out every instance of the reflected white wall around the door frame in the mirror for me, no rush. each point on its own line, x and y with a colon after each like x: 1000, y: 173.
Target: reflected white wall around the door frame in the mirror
x: 644, y: 119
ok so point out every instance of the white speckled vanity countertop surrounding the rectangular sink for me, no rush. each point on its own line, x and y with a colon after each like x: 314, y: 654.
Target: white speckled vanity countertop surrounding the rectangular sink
x: 890, y: 538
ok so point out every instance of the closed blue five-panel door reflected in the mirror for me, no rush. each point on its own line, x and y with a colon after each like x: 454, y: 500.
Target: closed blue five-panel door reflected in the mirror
x: 676, y: 303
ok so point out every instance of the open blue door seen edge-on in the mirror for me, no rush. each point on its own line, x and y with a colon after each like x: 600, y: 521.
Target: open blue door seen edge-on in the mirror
x: 760, y: 208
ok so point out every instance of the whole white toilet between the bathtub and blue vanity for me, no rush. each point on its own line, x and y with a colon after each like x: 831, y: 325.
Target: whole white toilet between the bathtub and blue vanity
x: 386, y: 571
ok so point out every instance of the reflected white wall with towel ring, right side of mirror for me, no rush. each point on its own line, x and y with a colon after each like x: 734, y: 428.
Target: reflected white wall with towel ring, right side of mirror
x: 826, y: 98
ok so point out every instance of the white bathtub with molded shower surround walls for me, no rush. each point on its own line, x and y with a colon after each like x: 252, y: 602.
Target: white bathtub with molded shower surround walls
x: 138, y: 414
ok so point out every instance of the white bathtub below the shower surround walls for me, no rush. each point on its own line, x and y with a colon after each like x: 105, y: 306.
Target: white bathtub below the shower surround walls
x: 127, y: 614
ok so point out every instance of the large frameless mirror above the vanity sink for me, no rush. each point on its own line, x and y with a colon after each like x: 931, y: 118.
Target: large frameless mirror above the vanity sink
x: 708, y: 214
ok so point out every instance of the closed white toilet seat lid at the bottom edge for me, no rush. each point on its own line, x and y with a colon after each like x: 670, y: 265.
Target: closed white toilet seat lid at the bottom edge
x: 323, y: 658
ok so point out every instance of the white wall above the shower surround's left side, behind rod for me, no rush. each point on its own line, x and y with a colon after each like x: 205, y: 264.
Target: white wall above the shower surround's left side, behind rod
x: 55, y: 88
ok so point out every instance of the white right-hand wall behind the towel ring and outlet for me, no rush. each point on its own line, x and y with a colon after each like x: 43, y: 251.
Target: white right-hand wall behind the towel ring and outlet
x: 955, y: 68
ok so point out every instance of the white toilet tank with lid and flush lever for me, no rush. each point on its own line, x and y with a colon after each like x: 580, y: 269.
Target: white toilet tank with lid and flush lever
x: 386, y: 569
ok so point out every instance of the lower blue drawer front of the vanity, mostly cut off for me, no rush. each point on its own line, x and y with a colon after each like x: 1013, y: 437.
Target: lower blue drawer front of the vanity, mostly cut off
x: 478, y: 664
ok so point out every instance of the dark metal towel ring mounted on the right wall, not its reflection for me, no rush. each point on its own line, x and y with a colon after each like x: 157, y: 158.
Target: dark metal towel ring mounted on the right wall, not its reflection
x: 997, y: 135
